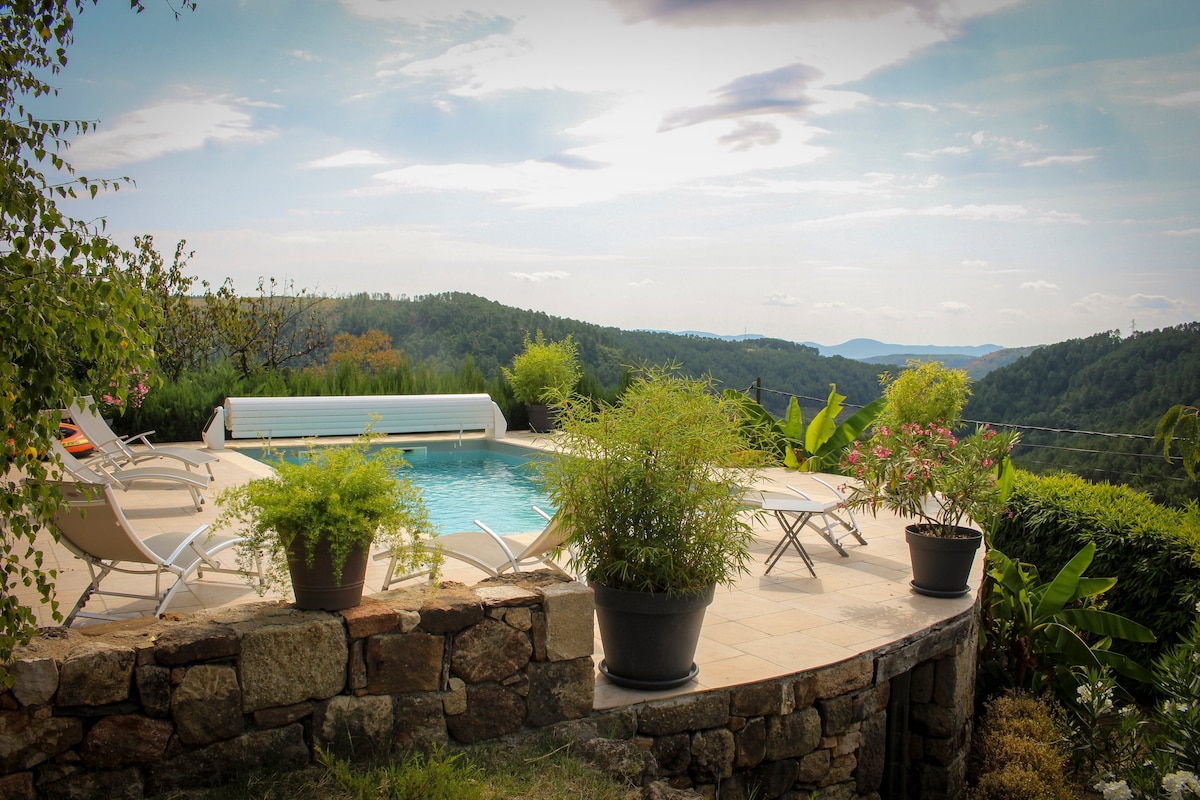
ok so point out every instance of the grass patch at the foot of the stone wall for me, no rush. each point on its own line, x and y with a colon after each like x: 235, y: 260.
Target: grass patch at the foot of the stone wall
x: 539, y: 769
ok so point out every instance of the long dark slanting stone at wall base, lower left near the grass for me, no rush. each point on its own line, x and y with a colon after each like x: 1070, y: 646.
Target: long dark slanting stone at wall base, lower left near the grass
x: 275, y: 749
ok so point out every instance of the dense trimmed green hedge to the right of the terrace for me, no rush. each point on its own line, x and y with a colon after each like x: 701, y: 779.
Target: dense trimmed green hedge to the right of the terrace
x: 1151, y: 550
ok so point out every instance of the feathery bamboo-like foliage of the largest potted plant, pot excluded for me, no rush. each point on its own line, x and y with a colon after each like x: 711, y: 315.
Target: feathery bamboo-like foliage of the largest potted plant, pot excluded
x: 651, y: 489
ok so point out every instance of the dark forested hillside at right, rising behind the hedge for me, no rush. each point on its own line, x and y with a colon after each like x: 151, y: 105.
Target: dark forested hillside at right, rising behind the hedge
x: 1099, y: 400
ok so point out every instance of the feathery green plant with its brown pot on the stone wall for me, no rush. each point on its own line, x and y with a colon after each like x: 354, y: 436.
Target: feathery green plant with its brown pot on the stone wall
x: 314, y: 522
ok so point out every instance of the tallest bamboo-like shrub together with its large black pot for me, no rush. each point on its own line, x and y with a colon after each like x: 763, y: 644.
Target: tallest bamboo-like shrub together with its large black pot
x: 651, y: 494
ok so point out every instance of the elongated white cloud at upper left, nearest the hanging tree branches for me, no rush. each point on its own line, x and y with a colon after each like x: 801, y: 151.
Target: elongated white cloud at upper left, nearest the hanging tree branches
x: 164, y: 129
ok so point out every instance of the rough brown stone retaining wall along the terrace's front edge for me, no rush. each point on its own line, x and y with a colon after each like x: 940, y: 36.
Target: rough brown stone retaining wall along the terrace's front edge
x: 135, y: 709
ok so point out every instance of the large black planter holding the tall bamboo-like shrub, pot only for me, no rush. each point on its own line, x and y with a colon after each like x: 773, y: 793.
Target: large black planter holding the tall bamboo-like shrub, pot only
x: 650, y: 639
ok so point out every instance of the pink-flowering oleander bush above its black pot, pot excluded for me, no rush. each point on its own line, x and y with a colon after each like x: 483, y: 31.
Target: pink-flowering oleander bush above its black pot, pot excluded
x: 926, y: 473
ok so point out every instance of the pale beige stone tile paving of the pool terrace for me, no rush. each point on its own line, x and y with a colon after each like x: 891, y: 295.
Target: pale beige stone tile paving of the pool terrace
x: 761, y: 628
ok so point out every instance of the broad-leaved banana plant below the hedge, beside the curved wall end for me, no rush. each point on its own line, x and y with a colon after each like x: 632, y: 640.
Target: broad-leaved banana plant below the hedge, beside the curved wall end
x: 1036, y: 633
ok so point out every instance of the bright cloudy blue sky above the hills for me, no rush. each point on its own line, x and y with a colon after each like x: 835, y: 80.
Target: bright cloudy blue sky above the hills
x: 920, y: 172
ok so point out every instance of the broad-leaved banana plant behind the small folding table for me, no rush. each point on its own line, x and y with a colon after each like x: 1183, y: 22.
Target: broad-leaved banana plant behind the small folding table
x: 817, y: 449
